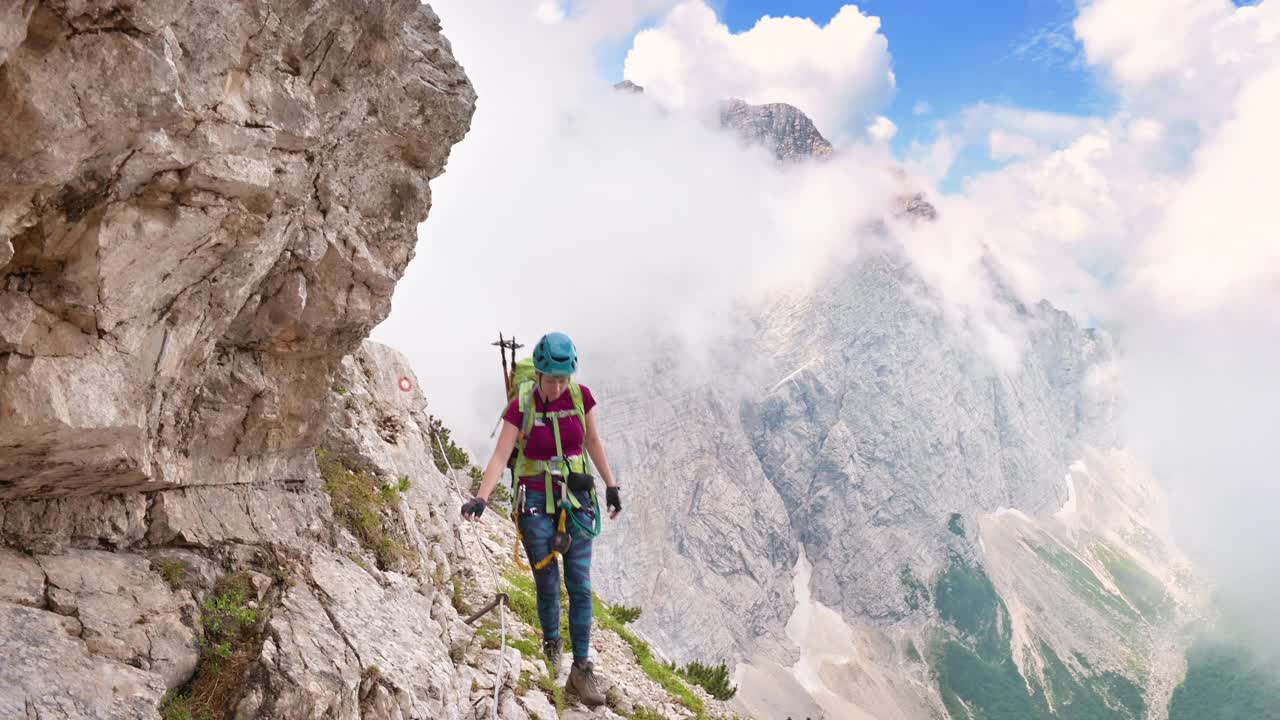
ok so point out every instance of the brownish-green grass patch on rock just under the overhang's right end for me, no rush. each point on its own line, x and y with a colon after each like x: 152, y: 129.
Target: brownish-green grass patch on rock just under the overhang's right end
x: 363, y: 504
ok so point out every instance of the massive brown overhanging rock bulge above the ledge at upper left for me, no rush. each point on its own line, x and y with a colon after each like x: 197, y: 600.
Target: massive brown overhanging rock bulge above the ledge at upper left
x: 203, y: 208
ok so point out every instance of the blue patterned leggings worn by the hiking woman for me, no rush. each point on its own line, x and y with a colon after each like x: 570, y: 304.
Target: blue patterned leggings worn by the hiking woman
x: 538, y: 530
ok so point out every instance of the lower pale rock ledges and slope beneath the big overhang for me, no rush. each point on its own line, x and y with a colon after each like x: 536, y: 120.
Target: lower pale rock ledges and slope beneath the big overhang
x: 342, y: 630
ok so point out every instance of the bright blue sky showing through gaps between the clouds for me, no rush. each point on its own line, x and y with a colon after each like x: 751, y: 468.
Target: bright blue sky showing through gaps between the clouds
x: 954, y: 56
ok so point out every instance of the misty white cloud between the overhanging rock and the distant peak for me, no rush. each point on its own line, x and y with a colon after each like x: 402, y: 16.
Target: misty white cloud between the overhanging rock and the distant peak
x: 578, y: 208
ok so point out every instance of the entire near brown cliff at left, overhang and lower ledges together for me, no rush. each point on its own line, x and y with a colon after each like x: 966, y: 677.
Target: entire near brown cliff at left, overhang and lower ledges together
x: 214, y: 500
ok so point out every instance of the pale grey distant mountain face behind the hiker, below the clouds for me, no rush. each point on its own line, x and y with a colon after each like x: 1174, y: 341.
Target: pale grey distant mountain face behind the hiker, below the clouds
x: 812, y: 512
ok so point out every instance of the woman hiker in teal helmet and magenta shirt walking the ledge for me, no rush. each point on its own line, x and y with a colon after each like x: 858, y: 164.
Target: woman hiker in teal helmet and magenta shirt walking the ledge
x: 551, y: 461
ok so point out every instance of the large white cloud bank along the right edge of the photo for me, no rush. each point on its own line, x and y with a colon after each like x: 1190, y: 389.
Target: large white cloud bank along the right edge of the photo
x: 1159, y: 225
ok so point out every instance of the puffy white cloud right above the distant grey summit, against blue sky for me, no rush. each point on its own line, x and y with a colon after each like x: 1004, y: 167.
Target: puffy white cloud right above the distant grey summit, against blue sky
x: 838, y: 74
